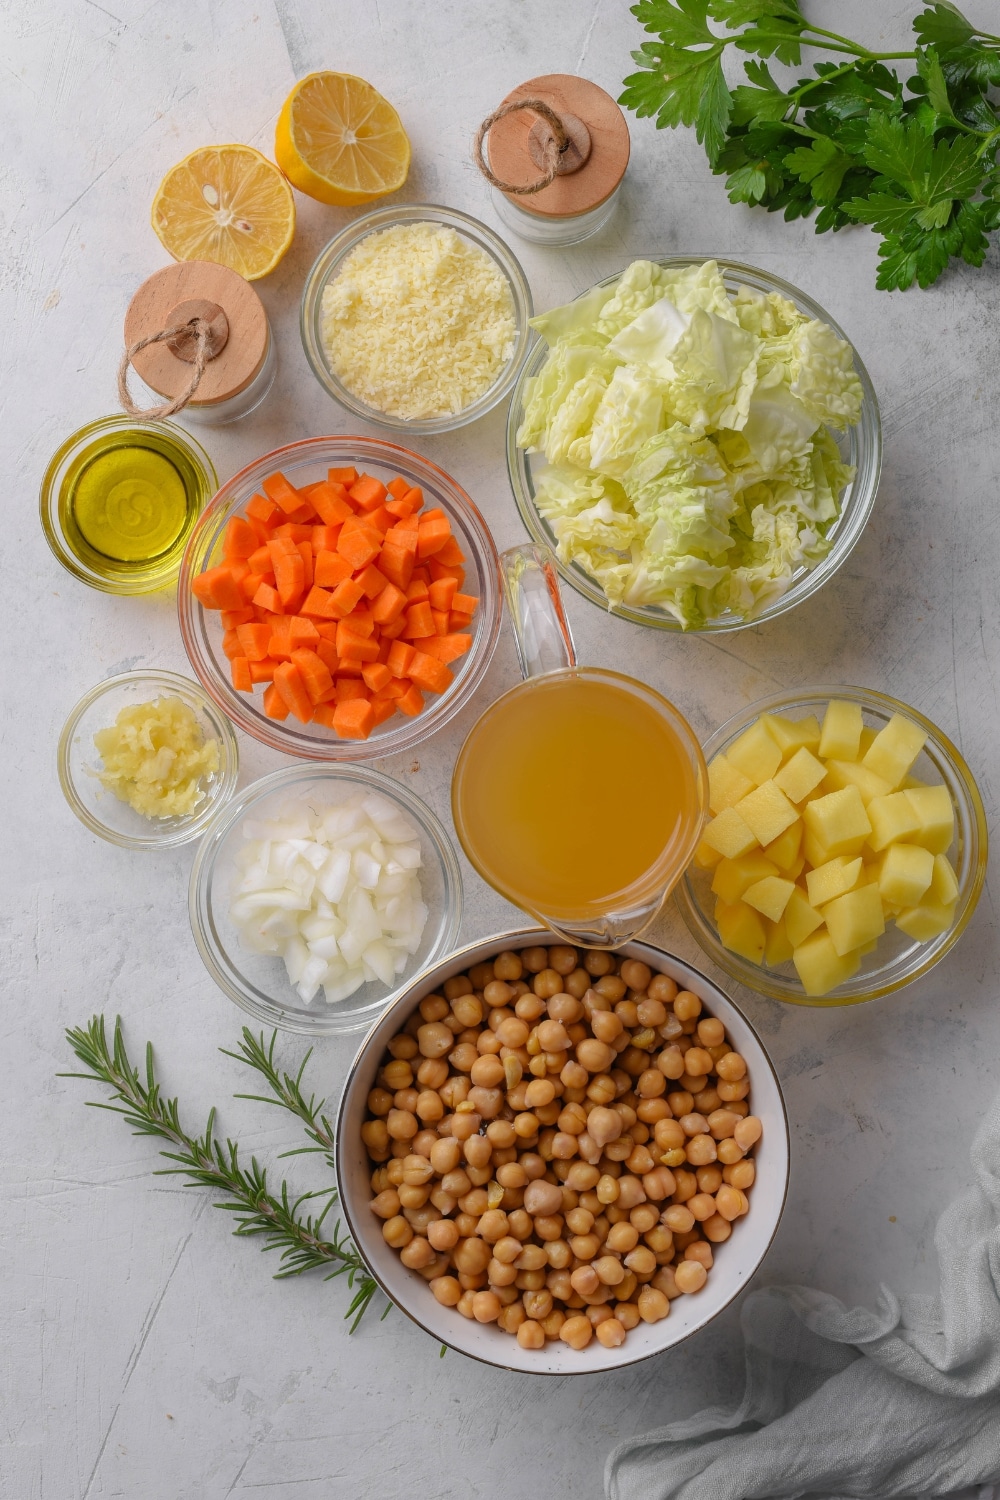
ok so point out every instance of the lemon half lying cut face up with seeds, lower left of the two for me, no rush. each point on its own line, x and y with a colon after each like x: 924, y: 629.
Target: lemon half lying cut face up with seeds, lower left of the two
x: 227, y: 205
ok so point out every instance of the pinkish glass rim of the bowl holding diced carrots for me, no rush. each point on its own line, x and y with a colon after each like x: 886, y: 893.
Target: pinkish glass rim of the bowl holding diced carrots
x: 409, y: 733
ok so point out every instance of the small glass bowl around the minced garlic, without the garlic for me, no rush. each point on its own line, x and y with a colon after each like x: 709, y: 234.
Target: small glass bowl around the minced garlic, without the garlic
x: 79, y: 761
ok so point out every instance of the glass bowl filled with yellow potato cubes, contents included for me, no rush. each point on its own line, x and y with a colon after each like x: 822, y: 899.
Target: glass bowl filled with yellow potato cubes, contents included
x: 846, y: 851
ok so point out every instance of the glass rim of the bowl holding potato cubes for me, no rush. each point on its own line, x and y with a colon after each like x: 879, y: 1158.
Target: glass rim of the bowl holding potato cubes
x: 758, y: 977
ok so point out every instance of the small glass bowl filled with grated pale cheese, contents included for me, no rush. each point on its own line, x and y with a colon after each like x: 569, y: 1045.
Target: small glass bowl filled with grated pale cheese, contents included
x: 416, y: 317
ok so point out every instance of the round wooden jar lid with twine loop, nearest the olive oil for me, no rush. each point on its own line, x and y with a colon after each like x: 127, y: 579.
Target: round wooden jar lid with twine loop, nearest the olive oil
x: 178, y: 293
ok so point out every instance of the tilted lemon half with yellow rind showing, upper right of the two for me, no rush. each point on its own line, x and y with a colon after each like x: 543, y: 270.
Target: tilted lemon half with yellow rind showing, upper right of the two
x: 340, y: 142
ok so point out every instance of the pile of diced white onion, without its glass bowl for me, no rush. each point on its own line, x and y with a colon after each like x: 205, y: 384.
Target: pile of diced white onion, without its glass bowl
x: 332, y: 892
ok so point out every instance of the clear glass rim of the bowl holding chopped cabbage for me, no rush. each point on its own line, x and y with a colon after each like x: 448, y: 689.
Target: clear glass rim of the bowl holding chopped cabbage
x: 801, y: 587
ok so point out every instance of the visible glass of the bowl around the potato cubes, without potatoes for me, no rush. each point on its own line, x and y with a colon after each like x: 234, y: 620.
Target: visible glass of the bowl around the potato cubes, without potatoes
x: 897, y: 959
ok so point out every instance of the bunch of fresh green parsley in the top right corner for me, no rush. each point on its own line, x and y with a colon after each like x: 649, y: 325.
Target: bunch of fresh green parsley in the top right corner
x: 854, y: 143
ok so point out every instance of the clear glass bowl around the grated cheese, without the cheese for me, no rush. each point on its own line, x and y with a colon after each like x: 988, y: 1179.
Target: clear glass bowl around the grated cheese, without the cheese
x: 326, y: 269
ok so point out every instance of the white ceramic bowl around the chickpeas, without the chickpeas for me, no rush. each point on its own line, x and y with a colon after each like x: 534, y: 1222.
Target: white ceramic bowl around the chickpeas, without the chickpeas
x: 735, y: 1262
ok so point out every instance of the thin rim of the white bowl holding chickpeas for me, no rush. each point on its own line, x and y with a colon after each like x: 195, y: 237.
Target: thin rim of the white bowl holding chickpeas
x: 460, y: 959
